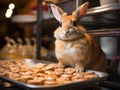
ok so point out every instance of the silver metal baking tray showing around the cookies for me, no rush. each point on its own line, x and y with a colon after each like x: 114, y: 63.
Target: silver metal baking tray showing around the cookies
x: 70, y: 86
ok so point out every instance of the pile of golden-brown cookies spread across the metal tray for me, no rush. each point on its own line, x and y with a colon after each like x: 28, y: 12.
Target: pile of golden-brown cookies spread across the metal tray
x: 42, y: 74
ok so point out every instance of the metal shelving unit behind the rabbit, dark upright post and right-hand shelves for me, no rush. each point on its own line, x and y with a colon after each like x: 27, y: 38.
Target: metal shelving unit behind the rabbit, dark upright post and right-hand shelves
x: 100, y: 10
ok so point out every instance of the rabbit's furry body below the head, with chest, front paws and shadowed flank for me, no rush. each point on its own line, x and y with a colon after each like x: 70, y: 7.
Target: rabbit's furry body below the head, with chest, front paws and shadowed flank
x: 81, y: 53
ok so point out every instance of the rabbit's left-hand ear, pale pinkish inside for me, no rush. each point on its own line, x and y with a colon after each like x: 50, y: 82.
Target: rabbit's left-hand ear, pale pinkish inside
x: 57, y: 12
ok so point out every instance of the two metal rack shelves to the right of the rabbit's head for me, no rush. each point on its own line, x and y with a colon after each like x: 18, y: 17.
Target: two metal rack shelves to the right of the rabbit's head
x: 105, y: 9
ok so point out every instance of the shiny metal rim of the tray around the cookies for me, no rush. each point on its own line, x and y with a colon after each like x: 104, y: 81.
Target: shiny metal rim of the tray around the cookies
x: 30, y: 86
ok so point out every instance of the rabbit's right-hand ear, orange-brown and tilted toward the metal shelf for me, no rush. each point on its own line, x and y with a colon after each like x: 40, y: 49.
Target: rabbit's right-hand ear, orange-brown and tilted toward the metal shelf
x: 81, y: 11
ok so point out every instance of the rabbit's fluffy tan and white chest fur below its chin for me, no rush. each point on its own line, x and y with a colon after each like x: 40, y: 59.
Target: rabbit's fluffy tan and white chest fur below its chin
x: 70, y: 52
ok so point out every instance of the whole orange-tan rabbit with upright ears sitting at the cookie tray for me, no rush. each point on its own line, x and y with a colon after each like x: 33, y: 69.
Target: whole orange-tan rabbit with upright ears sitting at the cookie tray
x: 73, y: 45
